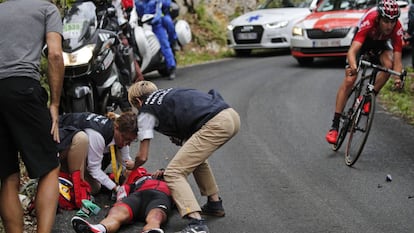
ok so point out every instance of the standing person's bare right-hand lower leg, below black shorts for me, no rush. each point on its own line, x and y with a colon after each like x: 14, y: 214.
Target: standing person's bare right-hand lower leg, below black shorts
x: 46, y: 201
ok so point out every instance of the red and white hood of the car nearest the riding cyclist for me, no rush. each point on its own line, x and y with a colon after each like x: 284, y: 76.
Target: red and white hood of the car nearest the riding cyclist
x: 332, y: 19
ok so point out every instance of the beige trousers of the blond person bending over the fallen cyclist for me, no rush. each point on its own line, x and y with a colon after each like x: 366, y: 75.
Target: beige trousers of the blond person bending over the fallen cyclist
x: 192, y: 158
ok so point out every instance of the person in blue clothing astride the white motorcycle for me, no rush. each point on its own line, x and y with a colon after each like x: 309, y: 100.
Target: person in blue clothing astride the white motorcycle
x: 155, y: 7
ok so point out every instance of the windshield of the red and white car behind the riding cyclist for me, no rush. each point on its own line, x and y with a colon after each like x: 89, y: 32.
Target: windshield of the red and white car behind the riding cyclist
x: 334, y: 5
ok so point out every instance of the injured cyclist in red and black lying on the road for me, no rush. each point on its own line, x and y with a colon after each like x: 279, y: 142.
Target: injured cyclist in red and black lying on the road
x: 145, y: 197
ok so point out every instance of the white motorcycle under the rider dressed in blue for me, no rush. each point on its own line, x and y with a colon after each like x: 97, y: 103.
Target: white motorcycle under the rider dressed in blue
x: 147, y: 48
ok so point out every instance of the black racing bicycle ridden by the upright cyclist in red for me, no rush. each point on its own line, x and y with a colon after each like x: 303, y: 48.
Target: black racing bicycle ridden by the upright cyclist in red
x: 358, y: 114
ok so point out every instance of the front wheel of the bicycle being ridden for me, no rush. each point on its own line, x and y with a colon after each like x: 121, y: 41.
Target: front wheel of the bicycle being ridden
x: 360, y: 126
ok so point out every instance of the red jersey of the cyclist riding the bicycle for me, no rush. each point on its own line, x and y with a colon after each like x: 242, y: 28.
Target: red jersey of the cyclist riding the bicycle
x: 368, y: 28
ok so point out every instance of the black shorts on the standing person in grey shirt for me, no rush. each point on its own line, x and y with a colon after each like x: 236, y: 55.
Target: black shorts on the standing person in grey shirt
x: 25, y: 125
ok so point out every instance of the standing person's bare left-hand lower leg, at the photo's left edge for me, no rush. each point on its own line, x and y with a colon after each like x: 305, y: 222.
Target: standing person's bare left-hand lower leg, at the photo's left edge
x: 10, y: 208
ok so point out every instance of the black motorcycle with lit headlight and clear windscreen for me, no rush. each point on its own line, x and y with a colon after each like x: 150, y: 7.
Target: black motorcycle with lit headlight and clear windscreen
x: 92, y: 79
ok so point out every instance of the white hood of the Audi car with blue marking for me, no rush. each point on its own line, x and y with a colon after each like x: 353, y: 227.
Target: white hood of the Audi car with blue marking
x: 270, y: 16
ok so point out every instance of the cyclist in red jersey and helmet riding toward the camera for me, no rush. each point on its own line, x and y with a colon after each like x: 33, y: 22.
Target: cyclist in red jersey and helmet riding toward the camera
x: 380, y: 34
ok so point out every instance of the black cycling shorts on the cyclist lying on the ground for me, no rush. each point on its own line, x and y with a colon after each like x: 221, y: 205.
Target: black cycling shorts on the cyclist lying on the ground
x: 140, y: 203
